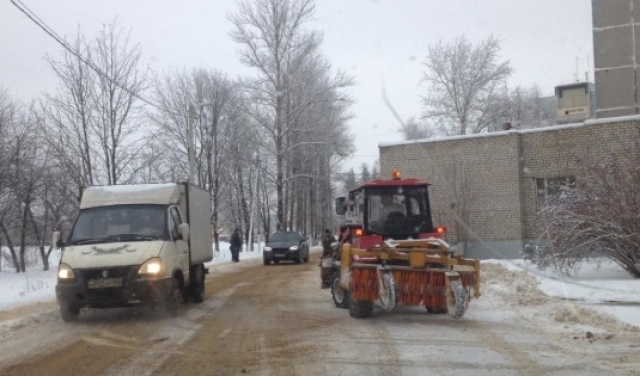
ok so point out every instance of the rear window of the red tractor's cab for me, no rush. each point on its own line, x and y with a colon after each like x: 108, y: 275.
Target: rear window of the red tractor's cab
x: 399, y: 211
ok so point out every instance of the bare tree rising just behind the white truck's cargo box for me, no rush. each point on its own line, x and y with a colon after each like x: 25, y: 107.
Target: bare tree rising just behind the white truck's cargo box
x: 215, y: 99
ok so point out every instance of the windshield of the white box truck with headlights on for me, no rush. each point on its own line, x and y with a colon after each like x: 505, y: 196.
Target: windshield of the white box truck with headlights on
x: 119, y: 223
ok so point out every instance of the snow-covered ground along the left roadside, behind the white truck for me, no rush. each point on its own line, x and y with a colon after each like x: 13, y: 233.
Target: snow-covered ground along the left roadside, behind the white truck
x: 36, y: 285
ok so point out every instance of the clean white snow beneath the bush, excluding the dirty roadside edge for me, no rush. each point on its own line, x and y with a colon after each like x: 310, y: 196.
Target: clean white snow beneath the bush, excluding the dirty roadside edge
x: 599, y: 284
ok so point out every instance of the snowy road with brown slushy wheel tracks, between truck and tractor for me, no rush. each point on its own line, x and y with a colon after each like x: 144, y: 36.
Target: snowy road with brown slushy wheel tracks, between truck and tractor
x: 275, y: 320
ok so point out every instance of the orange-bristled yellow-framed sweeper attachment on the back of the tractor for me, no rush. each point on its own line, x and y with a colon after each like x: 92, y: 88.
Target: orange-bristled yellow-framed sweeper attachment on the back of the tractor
x: 411, y: 272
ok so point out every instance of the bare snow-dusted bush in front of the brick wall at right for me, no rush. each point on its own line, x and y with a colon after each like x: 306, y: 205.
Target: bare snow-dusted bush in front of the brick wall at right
x: 599, y: 216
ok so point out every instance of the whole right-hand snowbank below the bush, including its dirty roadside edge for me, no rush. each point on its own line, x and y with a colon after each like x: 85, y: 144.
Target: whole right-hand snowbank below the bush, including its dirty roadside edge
x: 607, y: 295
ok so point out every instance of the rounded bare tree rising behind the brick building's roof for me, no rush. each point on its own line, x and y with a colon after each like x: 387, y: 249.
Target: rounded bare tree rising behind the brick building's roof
x: 465, y: 84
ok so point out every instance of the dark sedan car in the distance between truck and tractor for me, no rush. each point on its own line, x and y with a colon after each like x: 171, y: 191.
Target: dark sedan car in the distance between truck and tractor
x: 286, y: 245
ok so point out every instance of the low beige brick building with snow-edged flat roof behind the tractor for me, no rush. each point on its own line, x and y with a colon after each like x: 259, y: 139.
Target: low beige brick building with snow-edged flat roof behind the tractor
x: 496, y: 182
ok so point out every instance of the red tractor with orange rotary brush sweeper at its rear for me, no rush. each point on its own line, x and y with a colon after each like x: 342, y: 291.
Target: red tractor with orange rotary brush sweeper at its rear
x: 396, y: 255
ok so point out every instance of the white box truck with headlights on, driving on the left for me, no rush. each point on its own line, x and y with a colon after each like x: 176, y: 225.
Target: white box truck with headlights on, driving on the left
x: 135, y: 245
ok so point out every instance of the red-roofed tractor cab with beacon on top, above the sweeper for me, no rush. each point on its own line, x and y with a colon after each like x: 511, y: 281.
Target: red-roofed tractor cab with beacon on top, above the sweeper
x: 384, y: 209
